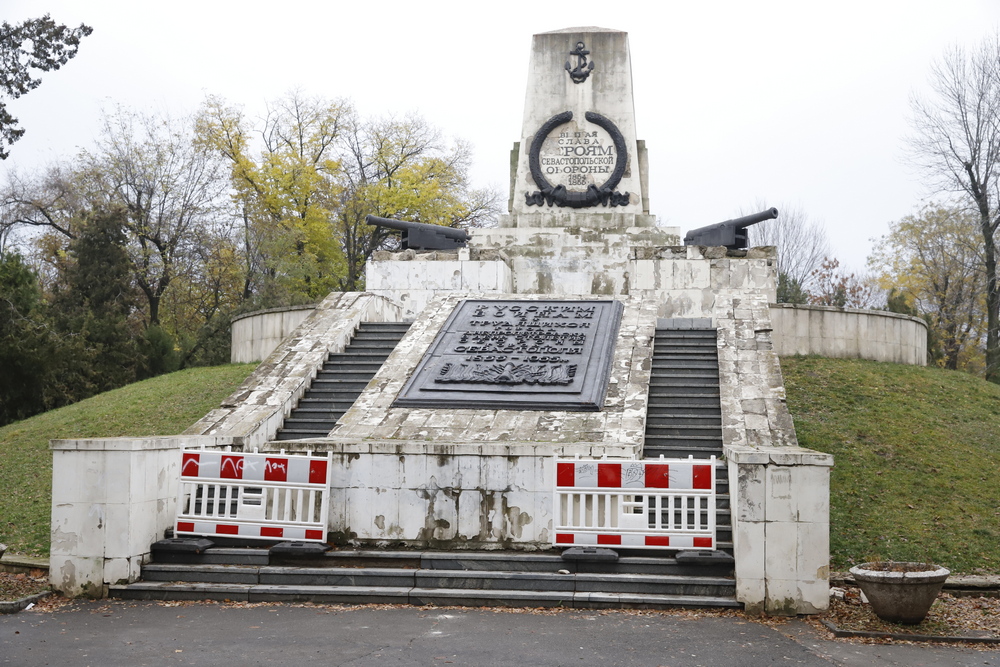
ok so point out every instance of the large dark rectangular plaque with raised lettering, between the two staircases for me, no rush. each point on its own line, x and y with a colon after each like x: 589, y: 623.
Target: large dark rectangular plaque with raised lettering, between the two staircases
x: 518, y: 355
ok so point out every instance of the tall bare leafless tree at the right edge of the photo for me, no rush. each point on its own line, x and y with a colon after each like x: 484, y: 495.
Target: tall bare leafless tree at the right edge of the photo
x: 957, y: 143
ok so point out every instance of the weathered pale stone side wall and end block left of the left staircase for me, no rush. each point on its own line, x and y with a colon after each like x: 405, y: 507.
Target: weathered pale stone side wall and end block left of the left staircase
x: 113, y: 497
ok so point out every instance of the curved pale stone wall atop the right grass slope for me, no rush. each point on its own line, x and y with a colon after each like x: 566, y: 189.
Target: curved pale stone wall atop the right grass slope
x: 848, y: 333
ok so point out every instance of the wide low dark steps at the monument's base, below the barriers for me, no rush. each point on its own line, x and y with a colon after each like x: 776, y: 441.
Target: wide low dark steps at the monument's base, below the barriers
x: 472, y: 578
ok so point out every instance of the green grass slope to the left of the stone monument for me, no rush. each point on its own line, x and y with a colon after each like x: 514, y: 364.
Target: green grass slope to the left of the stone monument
x: 164, y: 405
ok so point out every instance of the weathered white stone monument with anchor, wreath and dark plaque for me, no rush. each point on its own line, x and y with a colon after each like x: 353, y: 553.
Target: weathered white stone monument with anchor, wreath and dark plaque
x: 535, y: 341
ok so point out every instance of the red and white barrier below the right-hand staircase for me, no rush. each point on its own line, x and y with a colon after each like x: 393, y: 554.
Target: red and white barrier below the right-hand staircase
x: 648, y: 504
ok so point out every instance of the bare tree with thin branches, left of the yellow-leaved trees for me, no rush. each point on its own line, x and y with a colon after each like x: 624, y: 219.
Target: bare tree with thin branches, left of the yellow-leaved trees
x: 168, y: 185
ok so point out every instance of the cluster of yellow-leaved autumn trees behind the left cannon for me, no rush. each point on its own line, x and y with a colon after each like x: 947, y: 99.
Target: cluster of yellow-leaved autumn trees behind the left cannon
x: 305, y: 177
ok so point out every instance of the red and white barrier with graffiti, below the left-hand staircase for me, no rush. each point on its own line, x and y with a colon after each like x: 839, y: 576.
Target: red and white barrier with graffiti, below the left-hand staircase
x: 256, y: 496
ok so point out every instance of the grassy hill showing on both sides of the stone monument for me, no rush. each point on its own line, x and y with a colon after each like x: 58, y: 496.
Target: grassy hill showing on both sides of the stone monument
x: 917, y: 453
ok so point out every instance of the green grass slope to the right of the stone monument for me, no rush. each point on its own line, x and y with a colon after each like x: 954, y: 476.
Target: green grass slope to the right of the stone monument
x: 917, y: 459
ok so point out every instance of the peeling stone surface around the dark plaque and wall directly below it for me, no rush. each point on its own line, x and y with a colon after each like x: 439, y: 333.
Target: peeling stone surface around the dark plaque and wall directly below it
x: 479, y: 478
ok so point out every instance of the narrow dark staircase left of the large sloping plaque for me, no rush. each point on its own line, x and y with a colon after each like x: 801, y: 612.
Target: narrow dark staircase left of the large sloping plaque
x: 341, y: 380
